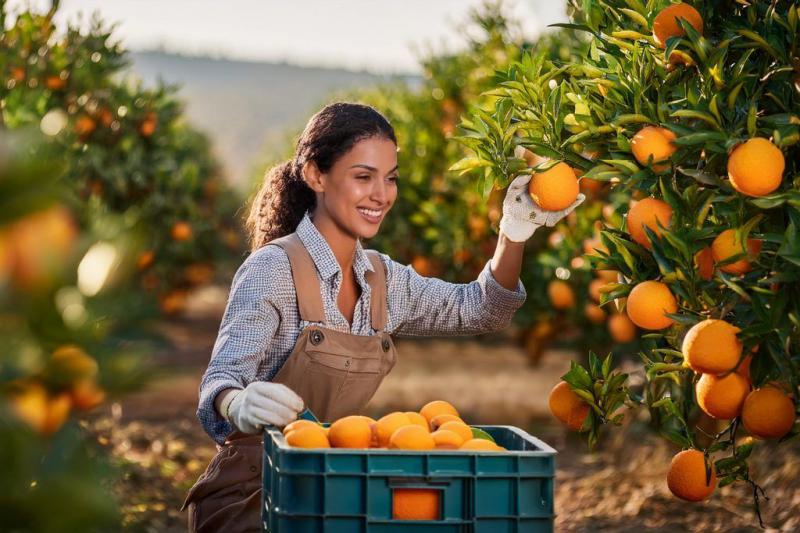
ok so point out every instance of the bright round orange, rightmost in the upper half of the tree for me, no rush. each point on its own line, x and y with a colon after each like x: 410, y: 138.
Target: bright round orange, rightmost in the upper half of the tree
x: 756, y: 167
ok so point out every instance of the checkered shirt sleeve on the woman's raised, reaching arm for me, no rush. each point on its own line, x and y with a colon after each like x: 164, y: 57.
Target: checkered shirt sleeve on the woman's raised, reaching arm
x: 420, y: 305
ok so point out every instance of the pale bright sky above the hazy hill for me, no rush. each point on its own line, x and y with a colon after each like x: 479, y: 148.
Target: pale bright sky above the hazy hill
x: 375, y: 35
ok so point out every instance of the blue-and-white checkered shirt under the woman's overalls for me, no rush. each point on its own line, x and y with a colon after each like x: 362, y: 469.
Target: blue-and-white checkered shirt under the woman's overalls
x: 261, y: 321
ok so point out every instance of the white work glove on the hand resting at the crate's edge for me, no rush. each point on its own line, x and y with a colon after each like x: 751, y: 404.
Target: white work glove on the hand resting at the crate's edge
x: 261, y: 403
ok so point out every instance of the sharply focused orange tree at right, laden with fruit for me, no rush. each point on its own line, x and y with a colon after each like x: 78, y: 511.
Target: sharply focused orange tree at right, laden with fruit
x: 693, y: 111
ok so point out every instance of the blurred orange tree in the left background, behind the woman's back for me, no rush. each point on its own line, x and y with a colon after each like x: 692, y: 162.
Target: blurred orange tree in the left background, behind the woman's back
x: 128, y: 149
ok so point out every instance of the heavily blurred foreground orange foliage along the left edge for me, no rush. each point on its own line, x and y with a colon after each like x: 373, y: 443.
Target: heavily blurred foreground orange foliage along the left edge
x: 67, y: 299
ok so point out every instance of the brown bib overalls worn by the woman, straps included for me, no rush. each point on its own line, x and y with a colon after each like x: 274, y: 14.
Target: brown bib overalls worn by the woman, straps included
x: 335, y: 373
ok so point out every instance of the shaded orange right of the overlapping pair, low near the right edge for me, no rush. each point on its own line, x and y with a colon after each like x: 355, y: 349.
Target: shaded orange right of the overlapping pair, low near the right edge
x: 768, y: 413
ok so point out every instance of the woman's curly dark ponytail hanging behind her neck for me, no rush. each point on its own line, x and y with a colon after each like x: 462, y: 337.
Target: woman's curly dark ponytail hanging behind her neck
x: 280, y: 204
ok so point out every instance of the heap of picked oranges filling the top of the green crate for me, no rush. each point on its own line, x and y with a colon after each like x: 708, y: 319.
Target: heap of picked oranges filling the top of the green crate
x: 437, y: 426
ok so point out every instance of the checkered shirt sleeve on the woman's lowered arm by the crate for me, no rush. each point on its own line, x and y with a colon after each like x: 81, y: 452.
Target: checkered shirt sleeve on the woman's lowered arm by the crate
x: 248, y: 326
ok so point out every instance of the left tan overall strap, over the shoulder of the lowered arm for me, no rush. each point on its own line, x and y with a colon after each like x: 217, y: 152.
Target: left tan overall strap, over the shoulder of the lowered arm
x: 304, y: 274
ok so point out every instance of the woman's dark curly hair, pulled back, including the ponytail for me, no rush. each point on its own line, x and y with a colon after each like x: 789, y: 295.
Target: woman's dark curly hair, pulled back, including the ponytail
x: 284, y: 196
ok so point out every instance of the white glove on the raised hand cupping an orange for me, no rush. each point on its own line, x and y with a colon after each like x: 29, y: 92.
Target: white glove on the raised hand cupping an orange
x: 521, y: 215
